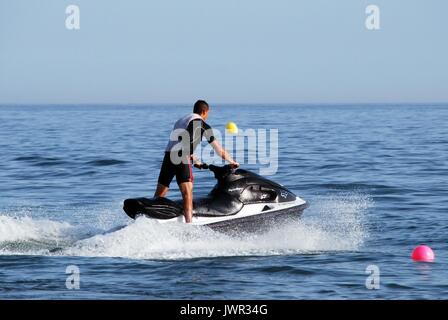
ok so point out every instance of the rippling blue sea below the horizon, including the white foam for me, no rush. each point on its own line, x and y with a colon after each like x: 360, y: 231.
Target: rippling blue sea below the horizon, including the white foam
x: 375, y: 177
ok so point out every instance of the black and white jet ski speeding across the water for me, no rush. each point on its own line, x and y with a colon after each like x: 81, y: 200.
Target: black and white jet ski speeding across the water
x: 240, y: 200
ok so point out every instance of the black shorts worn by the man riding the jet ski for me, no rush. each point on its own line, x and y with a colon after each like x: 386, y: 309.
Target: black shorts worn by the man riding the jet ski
x: 182, y: 171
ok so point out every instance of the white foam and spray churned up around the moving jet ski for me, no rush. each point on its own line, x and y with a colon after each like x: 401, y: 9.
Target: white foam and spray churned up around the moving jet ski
x: 331, y: 224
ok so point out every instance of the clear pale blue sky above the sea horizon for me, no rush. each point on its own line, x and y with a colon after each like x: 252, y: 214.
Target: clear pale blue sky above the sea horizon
x: 141, y: 51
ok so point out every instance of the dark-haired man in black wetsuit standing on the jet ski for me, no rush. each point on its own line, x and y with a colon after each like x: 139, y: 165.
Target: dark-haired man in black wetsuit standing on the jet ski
x: 186, y: 135
